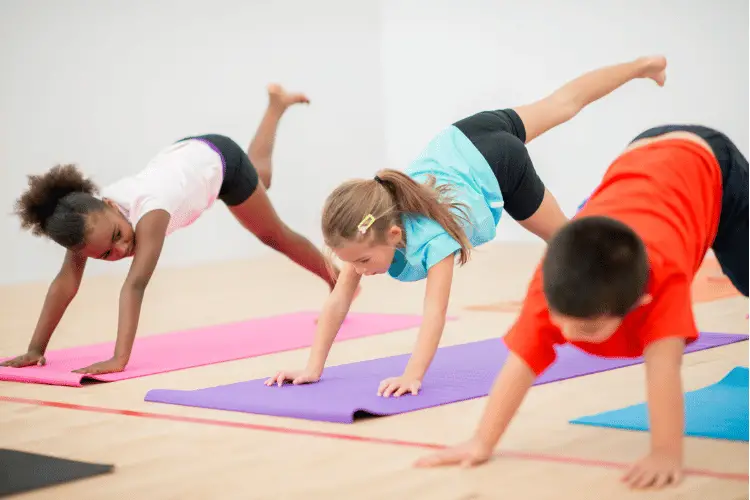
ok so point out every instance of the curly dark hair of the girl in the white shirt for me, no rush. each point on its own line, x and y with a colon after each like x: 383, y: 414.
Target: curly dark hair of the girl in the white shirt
x: 56, y: 204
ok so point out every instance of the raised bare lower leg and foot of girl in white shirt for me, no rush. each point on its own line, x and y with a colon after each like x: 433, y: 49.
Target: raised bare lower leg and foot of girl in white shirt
x: 261, y: 148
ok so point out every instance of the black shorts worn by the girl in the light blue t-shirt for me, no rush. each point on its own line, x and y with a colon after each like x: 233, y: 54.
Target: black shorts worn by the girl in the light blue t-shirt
x: 500, y: 137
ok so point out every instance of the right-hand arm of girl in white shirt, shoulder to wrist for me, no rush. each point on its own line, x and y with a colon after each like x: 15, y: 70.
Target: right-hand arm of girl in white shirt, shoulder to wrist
x: 150, y: 234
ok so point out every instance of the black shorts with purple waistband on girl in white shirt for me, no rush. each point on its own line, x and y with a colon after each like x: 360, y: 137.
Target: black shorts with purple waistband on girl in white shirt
x: 240, y: 177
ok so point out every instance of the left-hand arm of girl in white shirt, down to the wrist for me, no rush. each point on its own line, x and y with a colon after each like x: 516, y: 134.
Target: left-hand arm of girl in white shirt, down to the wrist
x: 61, y: 293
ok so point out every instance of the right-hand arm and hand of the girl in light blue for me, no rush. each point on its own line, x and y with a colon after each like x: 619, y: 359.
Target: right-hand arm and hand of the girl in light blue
x: 437, y: 296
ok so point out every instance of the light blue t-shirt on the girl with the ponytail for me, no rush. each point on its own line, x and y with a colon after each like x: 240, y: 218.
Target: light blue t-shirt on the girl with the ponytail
x: 452, y: 159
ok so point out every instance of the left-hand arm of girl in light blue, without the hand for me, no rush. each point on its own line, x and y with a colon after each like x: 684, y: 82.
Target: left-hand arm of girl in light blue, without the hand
x: 332, y: 316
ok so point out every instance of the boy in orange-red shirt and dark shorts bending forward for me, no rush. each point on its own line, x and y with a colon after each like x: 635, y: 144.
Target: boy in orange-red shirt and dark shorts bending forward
x: 615, y: 282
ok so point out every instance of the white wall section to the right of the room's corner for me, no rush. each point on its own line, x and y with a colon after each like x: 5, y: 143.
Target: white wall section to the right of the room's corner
x: 444, y: 59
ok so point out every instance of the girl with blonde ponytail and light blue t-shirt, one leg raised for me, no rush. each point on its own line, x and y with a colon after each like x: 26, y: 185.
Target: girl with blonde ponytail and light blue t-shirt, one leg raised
x: 416, y: 224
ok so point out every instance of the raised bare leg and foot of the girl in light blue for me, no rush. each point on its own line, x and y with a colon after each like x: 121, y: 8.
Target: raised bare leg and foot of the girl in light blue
x: 567, y: 101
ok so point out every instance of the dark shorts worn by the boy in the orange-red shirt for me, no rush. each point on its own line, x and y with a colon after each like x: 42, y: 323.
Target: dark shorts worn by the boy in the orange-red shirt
x: 731, y: 243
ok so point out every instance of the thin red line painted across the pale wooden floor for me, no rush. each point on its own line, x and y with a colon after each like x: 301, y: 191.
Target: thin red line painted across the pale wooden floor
x: 349, y: 437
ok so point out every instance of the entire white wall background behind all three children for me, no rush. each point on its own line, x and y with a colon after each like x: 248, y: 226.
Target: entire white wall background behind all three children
x: 107, y: 83
